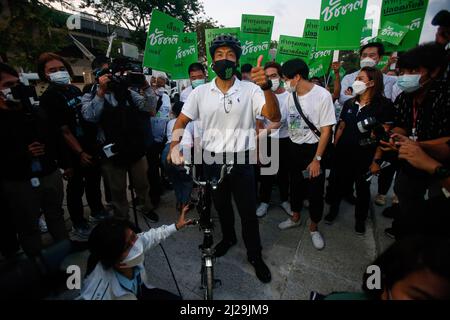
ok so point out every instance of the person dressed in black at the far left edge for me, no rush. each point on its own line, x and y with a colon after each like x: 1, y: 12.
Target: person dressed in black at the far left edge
x: 29, y: 175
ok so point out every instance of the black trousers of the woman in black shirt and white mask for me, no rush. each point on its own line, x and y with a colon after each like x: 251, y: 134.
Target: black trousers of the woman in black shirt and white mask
x: 351, y: 165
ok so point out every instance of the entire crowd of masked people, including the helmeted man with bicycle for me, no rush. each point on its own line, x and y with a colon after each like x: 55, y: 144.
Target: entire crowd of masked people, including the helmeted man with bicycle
x: 122, y: 130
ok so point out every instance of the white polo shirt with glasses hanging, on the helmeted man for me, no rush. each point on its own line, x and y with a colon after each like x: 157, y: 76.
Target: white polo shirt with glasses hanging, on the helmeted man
x: 228, y: 121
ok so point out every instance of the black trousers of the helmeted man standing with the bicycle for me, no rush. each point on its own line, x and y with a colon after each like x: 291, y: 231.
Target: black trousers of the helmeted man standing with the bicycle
x: 241, y: 185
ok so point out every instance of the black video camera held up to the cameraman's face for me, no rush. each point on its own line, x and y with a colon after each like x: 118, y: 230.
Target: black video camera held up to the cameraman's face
x: 125, y: 73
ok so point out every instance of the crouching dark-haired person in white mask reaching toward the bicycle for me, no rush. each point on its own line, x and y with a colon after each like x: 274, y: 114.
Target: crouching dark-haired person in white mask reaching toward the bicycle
x: 116, y: 264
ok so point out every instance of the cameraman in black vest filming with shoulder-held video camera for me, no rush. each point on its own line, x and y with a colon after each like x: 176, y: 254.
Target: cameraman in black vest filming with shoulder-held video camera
x: 117, y: 111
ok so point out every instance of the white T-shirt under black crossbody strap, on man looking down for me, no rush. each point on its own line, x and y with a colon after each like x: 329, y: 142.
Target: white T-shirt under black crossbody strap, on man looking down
x: 318, y: 107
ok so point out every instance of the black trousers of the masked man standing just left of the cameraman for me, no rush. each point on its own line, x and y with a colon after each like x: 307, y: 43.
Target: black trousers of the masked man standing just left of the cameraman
x: 85, y: 179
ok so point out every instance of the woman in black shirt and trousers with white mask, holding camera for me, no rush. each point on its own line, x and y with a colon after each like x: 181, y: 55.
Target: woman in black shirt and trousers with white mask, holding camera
x: 354, y: 149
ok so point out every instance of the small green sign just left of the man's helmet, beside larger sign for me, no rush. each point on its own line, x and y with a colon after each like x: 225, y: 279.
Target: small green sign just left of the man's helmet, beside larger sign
x: 186, y: 54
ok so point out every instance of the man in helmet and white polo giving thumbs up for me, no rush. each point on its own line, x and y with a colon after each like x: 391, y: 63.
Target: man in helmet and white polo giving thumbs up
x: 227, y: 110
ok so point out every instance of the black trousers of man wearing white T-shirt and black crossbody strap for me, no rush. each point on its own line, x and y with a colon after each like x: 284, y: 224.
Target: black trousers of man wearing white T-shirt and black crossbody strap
x: 300, y: 156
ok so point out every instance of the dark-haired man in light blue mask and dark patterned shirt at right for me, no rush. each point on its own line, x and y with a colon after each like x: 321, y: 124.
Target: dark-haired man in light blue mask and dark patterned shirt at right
x: 421, y: 113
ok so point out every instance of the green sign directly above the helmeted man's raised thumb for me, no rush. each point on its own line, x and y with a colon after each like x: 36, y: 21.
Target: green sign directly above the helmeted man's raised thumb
x: 255, y: 37
